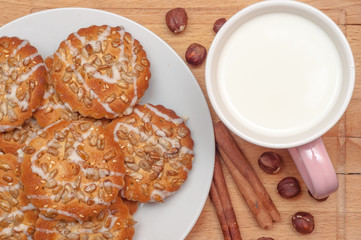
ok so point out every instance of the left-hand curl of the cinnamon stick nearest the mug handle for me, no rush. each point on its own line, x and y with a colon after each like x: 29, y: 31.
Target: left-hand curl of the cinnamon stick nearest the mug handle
x: 255, y: 205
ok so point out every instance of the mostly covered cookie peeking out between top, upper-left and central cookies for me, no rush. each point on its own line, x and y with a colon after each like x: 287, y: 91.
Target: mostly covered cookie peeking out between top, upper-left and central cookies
x: 52, y: 108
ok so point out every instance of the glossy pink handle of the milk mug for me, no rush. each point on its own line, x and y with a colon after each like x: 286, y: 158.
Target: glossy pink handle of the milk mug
x: 315, y: 167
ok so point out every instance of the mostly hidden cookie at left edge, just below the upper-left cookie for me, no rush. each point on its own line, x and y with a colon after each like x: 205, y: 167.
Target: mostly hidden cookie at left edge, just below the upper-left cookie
x: 11, y: 142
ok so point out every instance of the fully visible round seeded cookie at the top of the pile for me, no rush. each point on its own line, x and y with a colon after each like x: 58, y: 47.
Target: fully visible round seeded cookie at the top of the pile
x: 101, y: 71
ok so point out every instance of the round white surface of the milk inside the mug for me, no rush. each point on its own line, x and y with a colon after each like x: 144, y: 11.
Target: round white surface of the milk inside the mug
x: 280, y: 74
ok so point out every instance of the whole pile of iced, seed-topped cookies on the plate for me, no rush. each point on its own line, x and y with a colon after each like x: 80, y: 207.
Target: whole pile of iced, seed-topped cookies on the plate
x: 77, y: 150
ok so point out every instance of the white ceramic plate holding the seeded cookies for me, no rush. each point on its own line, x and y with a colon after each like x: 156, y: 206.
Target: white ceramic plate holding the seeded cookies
x: 172, y: 85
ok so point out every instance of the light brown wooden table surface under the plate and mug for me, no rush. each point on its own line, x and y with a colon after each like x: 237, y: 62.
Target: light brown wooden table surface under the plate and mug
x: 336, y: 218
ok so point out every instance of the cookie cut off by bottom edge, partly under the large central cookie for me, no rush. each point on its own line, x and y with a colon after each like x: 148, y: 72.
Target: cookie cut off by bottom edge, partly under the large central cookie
x: 113, y: 223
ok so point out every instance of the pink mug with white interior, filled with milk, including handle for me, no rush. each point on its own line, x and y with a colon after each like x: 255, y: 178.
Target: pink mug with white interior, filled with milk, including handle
x: 232, y: 103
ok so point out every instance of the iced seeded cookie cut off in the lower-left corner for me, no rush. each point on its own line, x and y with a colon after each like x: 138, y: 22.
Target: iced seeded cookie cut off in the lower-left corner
x: 17, y: 214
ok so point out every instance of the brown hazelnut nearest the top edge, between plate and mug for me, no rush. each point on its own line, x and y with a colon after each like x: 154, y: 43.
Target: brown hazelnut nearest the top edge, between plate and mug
x: 176, y: 19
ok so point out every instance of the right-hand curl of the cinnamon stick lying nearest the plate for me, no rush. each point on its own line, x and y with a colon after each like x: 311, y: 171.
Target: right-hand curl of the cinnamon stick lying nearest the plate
x: 223, y: 194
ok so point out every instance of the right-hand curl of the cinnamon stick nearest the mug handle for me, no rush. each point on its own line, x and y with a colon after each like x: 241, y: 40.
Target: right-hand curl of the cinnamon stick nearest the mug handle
x: 228, y: 145
